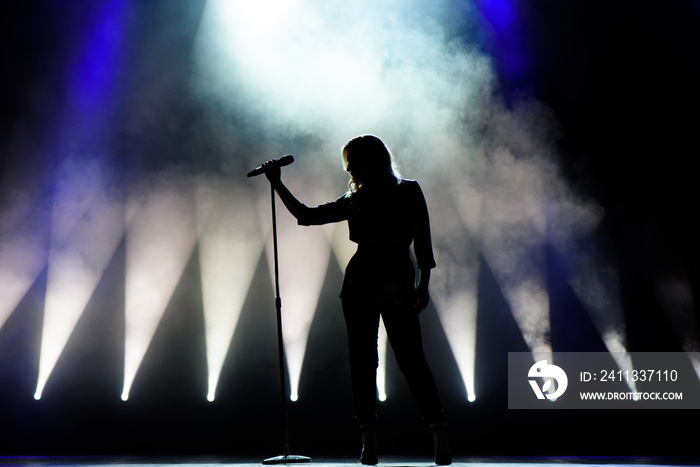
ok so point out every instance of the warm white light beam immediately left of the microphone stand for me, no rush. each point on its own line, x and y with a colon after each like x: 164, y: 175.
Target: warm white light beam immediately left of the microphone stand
x: 230, y: 245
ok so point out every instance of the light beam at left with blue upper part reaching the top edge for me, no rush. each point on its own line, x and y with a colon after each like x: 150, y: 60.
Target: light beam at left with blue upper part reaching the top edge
x: 86, y: 223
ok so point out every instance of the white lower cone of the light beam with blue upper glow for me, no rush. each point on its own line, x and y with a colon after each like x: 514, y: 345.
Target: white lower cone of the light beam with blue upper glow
x: 86, y: 229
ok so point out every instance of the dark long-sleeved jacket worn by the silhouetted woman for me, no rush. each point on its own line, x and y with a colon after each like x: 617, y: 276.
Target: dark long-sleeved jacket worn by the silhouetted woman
x: 383, y: 221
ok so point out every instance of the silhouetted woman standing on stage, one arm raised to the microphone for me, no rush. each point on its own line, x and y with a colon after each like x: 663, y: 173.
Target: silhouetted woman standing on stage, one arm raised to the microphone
x: 385, y: 215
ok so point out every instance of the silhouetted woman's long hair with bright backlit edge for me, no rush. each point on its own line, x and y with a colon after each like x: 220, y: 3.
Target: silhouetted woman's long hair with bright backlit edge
x: 370, y: 152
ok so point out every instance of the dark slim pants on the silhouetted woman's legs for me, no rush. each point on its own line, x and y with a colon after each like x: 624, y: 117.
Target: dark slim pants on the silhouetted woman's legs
x: 403, y: 329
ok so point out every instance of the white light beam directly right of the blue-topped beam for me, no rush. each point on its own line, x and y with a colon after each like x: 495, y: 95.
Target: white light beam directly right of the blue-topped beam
x: 160, y: 240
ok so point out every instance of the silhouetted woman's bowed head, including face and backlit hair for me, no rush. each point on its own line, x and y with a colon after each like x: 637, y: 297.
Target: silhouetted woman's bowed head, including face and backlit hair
x: 368, y: 161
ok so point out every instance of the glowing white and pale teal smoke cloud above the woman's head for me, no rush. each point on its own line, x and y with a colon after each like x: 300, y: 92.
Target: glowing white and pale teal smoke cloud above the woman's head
x: 340, y: 69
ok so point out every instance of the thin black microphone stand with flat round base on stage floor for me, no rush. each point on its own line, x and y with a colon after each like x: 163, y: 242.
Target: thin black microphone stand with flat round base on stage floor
x: 285, y: 458
